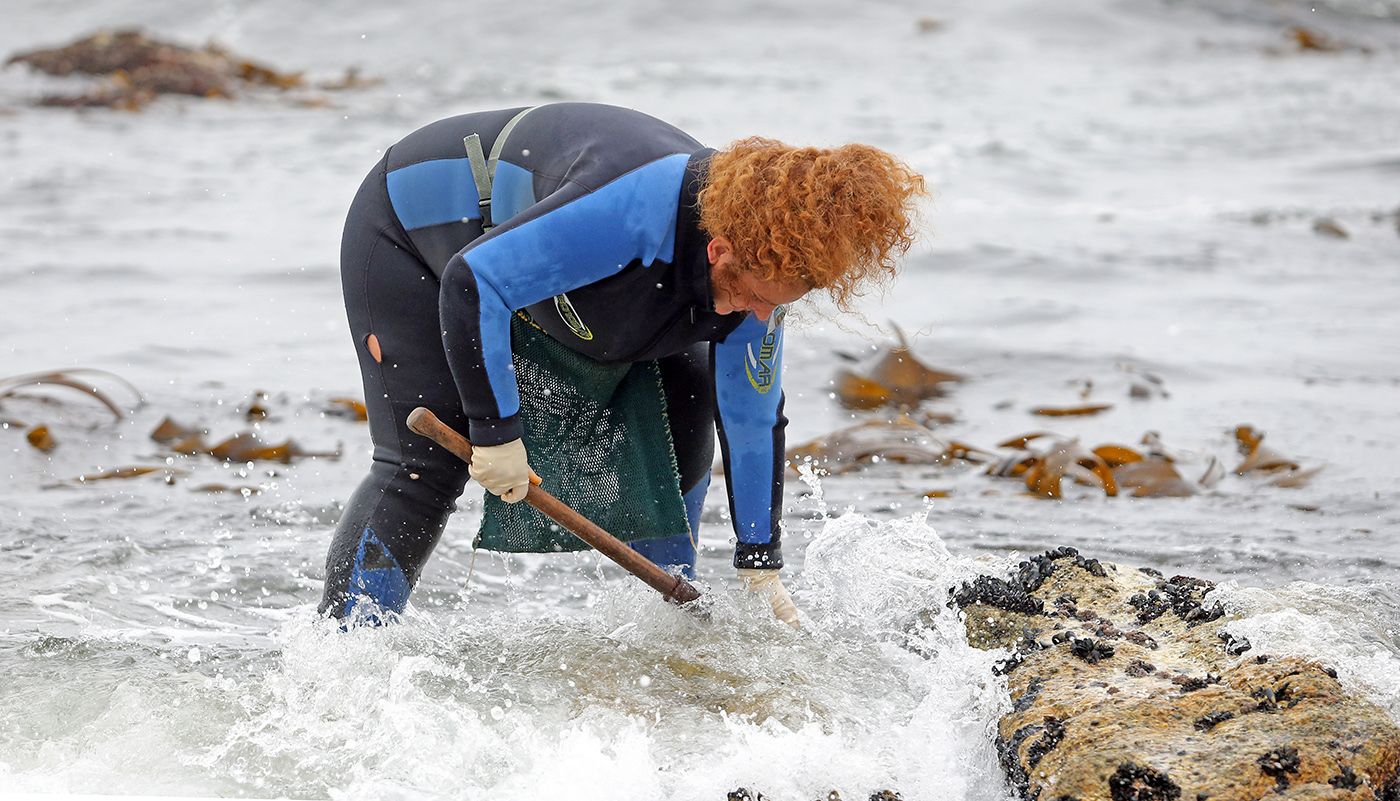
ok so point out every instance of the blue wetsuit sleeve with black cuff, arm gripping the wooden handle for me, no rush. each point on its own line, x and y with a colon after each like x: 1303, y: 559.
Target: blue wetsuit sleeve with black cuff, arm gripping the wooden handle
x: 570, y: 239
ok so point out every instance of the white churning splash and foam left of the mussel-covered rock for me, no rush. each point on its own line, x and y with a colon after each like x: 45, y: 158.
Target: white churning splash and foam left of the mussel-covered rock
x: 629, y: 698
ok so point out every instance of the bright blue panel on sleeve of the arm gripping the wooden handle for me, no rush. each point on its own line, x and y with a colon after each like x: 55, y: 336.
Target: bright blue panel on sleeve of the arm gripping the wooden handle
x: 586, y: 240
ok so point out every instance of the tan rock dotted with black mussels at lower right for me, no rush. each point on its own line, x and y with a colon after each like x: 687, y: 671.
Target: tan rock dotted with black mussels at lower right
x: 1125, y: 687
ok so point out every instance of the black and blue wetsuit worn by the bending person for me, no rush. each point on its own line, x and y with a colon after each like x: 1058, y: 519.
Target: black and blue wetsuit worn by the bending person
x: 598, y: 239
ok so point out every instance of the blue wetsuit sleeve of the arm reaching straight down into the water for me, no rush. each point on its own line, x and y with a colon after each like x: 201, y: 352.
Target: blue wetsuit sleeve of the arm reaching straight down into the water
x: 748, y: 369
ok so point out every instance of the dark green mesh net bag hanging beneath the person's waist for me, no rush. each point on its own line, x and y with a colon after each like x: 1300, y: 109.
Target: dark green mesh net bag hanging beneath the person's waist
x: 598, y: 438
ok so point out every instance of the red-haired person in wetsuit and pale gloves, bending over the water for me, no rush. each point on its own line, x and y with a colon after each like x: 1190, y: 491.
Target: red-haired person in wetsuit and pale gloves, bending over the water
x: 622, y: 240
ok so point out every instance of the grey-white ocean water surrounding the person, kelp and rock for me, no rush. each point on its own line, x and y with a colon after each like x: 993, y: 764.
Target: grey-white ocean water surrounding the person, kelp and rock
x: 1119, y: 188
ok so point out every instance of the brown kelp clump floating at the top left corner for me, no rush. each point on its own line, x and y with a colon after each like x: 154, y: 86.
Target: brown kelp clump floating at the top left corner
x: 139, y: 69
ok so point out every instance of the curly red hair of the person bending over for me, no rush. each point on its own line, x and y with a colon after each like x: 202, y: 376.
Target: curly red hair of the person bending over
x: 836, y: 219
